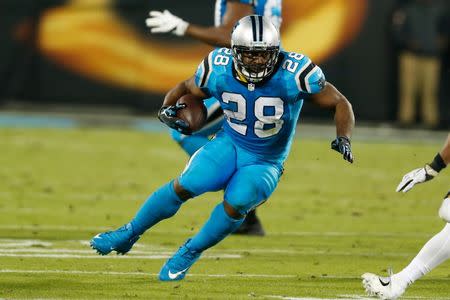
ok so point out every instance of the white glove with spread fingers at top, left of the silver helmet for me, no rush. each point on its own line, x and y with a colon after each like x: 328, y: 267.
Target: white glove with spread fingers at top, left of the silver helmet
x: 161, y: 22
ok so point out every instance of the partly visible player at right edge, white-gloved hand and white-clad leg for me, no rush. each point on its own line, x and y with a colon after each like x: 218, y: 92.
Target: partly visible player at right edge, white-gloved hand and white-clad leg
x: 433, y: 253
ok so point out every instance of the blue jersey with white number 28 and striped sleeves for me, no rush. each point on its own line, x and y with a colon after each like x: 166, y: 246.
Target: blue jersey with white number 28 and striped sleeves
x: 261, y: 117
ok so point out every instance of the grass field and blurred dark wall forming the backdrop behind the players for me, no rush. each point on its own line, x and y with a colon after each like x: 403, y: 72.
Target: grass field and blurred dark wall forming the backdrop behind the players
x: 80, y: 149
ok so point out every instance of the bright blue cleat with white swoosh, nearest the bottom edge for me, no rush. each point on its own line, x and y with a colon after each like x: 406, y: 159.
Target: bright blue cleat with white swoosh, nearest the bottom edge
x: 178, y: 265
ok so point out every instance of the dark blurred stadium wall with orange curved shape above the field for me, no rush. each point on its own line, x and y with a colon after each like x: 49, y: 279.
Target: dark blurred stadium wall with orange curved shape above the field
x: 97, y: 55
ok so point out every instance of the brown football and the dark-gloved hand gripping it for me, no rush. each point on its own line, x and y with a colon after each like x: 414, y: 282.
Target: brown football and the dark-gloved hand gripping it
x: 186, y: 116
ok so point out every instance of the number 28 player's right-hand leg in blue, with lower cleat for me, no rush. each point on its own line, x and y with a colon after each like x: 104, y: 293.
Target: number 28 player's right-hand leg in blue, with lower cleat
x: 249, y: 187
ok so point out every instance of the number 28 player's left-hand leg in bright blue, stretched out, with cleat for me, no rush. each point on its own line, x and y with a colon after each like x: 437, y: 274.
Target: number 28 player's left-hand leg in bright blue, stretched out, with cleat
x: 199, y: 176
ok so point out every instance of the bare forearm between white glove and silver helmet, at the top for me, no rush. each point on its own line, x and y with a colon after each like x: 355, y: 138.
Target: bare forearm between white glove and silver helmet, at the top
x: 214, y: 36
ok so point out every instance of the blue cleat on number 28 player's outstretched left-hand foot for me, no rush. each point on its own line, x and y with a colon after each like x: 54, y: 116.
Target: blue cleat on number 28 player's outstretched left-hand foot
x: 121, y: 240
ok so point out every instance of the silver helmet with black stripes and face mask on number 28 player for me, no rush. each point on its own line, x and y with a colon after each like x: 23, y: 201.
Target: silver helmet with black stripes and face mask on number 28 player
x: 255, y: 43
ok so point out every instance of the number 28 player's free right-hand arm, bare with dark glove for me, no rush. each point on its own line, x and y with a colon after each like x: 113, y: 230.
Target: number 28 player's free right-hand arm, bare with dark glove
x: 329, y: 97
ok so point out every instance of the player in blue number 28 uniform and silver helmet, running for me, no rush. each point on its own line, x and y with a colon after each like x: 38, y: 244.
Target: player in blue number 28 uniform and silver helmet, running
x: 261, y: 90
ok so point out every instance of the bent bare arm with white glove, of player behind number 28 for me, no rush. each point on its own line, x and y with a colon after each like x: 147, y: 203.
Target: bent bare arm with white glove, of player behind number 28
x: 219, y: 36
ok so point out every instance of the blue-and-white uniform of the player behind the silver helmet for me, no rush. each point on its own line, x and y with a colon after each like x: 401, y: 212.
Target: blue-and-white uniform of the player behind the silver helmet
x: 268, y: 8
